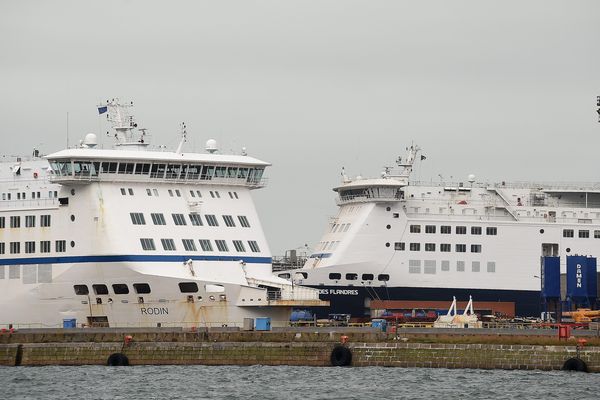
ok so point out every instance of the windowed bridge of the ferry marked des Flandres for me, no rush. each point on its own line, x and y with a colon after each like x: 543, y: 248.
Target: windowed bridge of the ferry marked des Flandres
x: 370, y: 190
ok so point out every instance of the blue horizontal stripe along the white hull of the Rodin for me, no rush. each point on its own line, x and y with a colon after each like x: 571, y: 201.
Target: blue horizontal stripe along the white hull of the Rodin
x: 130, y: 258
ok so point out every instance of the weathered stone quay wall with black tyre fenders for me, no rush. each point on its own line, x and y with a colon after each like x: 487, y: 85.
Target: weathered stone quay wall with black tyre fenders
x: 509, y: 349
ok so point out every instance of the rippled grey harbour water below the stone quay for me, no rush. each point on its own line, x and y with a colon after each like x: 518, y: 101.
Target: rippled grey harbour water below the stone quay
x: 264, y: 382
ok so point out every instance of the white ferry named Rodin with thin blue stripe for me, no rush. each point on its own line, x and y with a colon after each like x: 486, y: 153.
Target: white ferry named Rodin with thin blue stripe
x: 135, y: 237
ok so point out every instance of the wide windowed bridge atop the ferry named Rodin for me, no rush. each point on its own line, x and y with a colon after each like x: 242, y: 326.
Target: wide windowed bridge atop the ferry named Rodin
x: 77, y: 166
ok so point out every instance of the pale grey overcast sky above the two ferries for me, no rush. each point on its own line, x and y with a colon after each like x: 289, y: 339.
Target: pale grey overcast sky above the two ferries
x: 505, y: 90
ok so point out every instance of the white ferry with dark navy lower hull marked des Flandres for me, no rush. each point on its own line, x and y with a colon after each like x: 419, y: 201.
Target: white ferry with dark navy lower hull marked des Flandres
x: 399, y: 244
